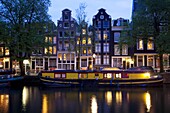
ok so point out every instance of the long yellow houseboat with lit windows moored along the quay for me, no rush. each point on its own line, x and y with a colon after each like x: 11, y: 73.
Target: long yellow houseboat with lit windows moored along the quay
x: 140, y: 76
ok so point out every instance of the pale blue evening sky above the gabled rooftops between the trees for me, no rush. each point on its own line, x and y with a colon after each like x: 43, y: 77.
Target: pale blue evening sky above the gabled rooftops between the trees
x: 115, y: 8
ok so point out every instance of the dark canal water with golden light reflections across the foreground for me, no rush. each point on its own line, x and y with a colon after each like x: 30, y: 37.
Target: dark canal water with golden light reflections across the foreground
x: 109, y: 100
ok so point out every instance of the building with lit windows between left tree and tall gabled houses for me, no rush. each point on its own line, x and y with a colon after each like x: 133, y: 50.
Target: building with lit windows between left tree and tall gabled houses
x: 45, y: 58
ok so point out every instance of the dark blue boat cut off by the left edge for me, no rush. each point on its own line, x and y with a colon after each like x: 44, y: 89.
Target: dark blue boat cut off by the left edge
x: 8, y: 78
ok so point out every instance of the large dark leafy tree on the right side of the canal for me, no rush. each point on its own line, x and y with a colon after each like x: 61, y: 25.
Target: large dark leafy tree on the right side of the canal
x: 152, y: 18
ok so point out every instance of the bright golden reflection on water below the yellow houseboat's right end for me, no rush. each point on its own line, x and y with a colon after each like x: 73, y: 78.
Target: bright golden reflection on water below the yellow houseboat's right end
x: 147, y: 98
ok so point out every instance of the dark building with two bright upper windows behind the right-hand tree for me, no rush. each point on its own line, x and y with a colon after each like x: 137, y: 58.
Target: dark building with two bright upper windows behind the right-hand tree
x: 145, y: 53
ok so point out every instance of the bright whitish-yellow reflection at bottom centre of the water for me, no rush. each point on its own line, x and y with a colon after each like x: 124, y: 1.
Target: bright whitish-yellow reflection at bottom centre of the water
x: 94, y: 106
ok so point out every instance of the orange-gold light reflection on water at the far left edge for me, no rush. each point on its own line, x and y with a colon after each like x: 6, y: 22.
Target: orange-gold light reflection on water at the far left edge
x: 4, y: 102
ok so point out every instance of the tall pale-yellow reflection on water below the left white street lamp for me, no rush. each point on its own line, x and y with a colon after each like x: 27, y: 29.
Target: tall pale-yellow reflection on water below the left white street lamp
x: 24, y: 96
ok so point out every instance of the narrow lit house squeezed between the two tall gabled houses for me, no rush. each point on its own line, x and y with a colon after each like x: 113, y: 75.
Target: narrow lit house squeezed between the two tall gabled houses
x: 84, y: 48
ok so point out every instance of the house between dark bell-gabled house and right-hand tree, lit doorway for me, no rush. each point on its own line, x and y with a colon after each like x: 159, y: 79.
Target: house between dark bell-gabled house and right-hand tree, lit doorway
x: 120, y: 58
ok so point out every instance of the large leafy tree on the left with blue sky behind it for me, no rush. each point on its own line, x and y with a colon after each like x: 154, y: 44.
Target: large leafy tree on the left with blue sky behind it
x: 24, y: 22
